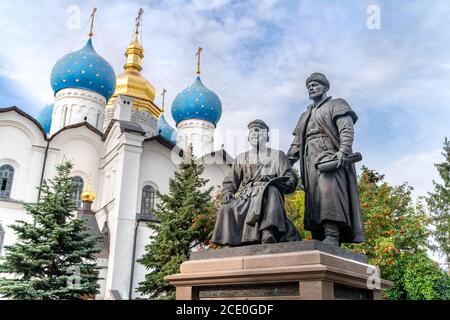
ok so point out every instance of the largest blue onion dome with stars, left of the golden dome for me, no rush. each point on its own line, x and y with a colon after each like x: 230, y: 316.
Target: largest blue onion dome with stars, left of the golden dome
x: 84, y: 69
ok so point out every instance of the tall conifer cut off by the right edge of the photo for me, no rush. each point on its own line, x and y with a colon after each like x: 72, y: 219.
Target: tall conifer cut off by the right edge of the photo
x: 439, y: 205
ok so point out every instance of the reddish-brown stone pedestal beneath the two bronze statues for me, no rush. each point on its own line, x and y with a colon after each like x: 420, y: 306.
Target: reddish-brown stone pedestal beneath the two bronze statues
x: 304, y: 270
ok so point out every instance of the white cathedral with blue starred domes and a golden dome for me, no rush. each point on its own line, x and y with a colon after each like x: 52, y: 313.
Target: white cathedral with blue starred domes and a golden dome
x: 122, y: 149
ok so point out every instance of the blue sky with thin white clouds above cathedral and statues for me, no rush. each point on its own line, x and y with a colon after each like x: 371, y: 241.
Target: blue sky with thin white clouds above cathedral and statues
x: 256, y: 57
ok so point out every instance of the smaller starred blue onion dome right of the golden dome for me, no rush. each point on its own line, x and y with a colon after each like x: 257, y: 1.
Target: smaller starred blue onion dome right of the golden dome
x: 197, y: 102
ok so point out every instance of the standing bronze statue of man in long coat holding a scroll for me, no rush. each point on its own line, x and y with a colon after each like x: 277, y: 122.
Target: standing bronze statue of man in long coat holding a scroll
x: 322, y: 143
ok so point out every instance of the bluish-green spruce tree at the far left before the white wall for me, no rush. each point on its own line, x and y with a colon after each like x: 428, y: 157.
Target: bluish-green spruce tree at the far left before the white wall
x: 53, y: 257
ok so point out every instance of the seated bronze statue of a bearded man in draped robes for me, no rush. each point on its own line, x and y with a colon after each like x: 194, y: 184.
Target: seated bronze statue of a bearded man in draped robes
x: 252, y: 208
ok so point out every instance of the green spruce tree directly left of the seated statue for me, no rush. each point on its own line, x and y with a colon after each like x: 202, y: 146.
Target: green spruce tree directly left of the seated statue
x: 185, y: 215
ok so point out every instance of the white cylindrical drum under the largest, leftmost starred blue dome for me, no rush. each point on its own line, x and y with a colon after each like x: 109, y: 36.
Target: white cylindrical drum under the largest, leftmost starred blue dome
x: 73, y: 105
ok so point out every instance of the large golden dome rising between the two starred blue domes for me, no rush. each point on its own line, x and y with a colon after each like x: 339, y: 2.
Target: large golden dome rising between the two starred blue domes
x: 131, y: 83
